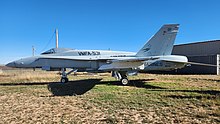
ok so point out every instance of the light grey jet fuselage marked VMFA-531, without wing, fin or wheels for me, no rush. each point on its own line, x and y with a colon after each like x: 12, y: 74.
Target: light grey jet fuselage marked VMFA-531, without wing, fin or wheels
x: 92, y: 60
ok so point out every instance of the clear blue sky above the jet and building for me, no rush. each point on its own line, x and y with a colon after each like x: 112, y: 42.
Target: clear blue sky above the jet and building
x: 100, y: 24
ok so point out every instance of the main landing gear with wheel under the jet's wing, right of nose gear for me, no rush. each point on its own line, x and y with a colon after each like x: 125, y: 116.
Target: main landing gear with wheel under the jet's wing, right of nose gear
x: 121, y: 75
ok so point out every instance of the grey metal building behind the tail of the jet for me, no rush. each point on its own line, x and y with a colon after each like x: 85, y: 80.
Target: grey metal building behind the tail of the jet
x: 201, y: 52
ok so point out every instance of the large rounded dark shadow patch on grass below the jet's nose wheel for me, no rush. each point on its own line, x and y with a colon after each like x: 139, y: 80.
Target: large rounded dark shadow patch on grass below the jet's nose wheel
x: 71, y: 88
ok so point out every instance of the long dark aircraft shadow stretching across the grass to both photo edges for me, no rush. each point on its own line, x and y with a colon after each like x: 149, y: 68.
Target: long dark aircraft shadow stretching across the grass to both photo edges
x: 80, y: 87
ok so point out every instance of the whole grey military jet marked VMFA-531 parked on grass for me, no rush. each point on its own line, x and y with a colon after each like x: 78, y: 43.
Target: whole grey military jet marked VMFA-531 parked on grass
x: 155, y: 55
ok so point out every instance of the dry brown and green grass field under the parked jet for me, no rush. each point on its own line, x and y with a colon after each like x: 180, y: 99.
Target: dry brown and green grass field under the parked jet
x: 25, y: 98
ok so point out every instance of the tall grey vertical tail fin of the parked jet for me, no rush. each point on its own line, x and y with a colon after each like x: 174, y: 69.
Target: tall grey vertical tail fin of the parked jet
x: 161, y: 43
